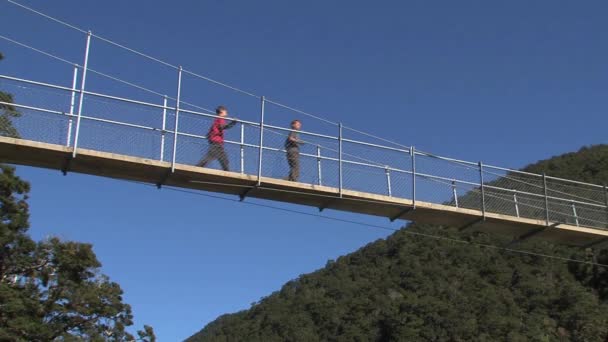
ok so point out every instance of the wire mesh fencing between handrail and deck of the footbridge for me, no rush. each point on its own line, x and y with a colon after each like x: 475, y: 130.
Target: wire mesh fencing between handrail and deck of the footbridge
x: 49, y: 113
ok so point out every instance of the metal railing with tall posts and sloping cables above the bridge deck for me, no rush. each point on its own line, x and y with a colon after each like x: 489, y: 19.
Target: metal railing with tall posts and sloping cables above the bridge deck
x: 172, y: 130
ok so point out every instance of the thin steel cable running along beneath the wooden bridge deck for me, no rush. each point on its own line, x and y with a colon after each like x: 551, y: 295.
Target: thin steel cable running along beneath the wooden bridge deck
x: 404, y: 230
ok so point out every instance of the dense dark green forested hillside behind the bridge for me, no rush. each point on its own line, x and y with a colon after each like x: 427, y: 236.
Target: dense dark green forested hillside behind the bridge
x: 411, y: 288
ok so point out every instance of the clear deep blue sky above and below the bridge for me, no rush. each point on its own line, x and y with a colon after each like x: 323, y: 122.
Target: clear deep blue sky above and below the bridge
x: 508, y: 83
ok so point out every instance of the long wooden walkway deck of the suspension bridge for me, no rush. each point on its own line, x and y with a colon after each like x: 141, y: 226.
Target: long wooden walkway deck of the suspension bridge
x: 51, y: 156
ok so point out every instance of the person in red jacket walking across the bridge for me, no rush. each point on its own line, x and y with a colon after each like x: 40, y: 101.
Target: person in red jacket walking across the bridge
x: 216, y: 140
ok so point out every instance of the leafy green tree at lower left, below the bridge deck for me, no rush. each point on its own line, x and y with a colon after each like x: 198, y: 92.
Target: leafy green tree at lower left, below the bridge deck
x: 53, y: 289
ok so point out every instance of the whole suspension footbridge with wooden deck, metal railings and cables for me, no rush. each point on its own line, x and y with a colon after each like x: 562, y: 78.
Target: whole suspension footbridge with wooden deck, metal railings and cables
x: 82, y: 119
